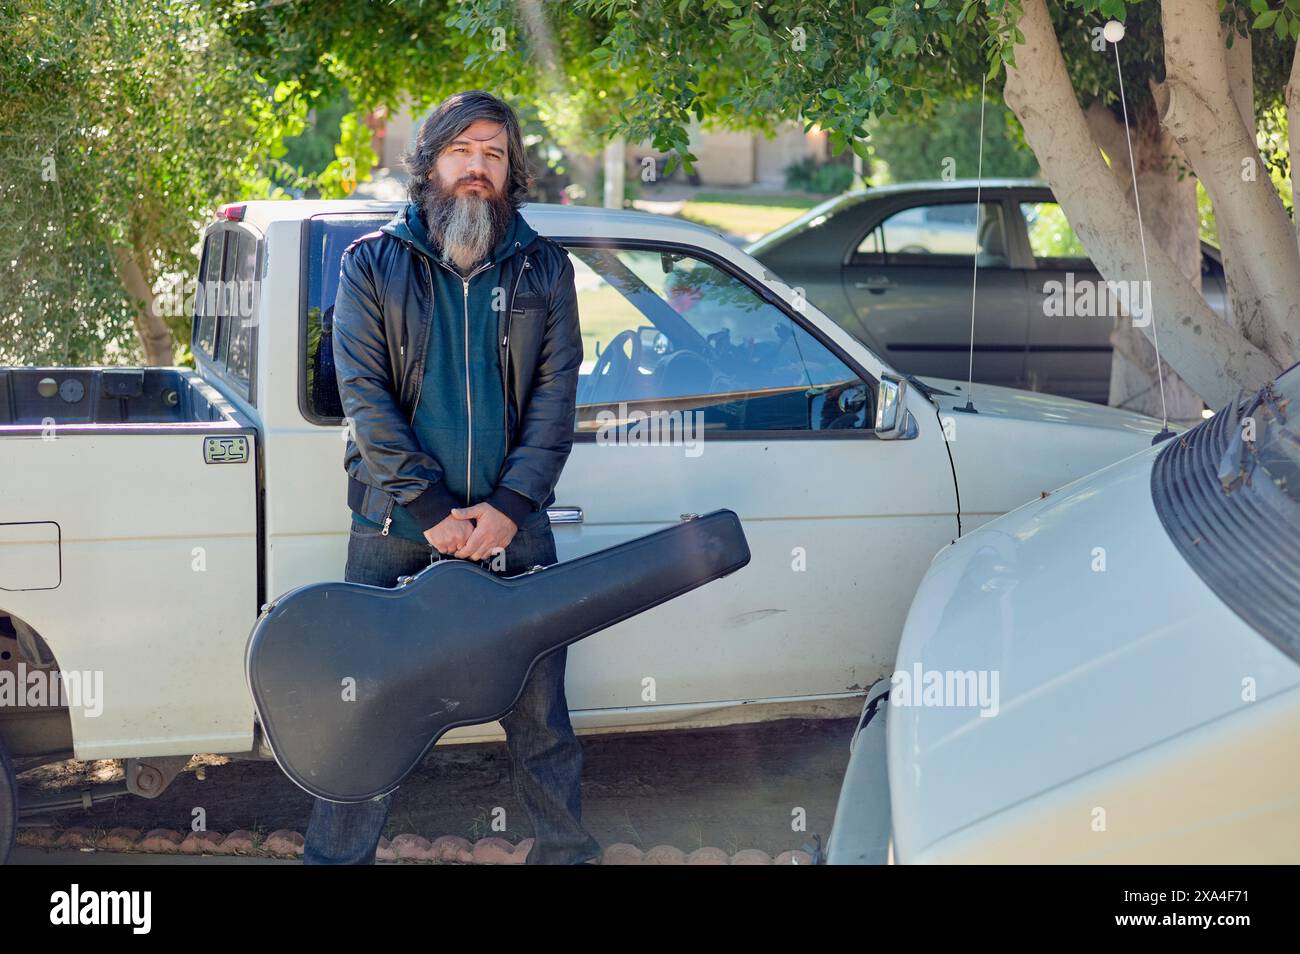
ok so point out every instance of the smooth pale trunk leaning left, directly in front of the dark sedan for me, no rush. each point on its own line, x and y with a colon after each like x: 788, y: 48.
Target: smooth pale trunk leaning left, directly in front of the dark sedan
x: 1214, y: 359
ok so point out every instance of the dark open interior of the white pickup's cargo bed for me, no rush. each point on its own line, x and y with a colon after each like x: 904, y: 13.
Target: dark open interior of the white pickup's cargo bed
x: 38, y: 397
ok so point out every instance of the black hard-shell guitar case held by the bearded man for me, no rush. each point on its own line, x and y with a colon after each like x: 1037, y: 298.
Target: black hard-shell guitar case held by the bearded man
x: 354, y: 684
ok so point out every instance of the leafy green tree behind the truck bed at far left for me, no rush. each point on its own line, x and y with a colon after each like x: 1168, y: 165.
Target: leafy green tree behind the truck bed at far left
x: 123, y: 125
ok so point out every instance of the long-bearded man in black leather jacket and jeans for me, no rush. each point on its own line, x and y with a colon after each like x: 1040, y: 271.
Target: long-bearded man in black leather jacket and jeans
x: 457, y: 349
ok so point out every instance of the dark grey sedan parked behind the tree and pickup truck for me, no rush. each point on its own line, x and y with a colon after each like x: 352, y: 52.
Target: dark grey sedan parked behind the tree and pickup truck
x: 892, y: 266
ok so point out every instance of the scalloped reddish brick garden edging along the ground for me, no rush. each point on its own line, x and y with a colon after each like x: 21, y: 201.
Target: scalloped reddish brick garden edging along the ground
x: 447, y: 849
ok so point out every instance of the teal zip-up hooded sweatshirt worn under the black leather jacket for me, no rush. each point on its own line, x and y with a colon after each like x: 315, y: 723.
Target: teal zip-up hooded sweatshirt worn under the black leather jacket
x: 462, y: 428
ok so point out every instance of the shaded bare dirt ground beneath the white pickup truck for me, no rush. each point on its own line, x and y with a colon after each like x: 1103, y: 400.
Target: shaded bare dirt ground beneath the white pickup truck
x: 731, y: 788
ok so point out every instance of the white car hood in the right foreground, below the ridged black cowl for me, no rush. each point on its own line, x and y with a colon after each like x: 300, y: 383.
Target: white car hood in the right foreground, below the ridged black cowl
x: 1093, y: 665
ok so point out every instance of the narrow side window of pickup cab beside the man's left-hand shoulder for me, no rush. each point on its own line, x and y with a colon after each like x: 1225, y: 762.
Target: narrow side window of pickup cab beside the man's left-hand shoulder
x: 328, y: 237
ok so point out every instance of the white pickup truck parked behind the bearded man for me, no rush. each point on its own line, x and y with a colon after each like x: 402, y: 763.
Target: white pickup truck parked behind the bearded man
x: 148, y: 514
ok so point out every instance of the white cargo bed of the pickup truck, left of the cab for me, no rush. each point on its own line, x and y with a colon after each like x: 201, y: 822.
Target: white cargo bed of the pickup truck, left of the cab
x: 129, y: 543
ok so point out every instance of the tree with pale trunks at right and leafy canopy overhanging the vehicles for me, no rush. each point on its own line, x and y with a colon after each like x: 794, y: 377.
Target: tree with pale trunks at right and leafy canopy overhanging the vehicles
x: 655, y: 64
